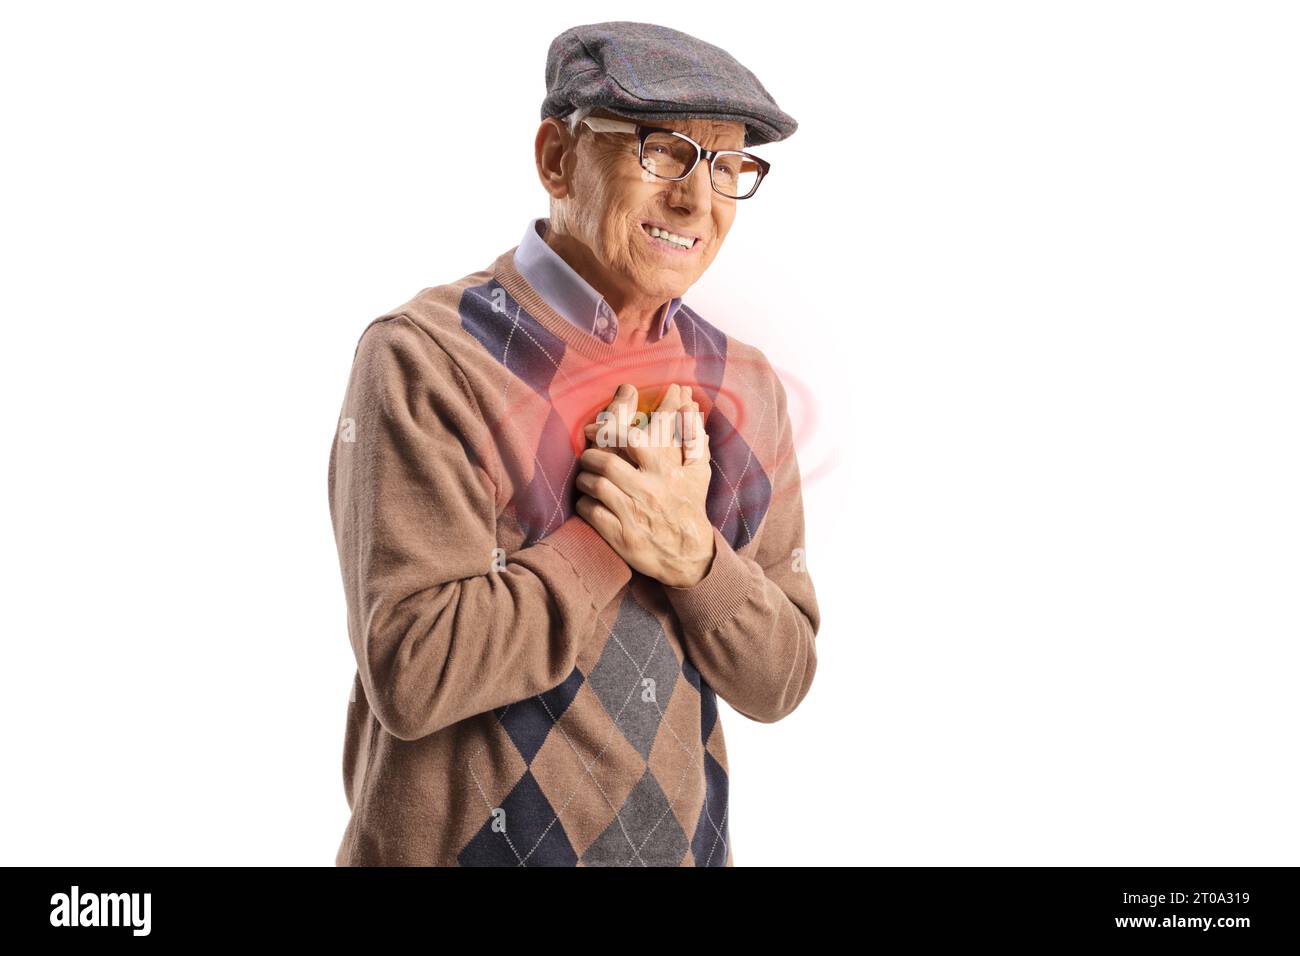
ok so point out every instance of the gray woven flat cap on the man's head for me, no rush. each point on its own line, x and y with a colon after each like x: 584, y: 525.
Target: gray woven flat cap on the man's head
x: 648, y: 72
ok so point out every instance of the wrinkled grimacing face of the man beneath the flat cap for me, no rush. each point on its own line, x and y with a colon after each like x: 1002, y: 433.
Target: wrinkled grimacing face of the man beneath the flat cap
x: 614, y: 201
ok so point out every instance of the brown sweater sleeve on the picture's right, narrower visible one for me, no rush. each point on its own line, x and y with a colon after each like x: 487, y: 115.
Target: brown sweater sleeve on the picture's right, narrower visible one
x: 751, y: 624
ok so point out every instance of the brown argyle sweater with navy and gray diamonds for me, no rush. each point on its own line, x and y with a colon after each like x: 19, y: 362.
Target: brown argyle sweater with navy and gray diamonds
x: 522, y: 697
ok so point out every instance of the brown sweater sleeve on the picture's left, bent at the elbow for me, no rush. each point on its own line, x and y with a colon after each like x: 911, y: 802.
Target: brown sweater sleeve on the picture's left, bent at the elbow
x: 443, y: 626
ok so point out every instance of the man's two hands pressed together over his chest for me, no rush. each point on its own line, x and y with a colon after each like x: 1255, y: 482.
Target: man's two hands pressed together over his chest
x: 651, y: 504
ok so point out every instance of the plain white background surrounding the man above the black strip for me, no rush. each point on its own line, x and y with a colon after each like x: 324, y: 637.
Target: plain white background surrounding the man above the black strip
x: 1035, y: 263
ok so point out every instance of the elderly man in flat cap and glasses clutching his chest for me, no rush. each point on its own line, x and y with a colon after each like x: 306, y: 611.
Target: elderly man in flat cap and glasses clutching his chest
x: 567, y: 508
